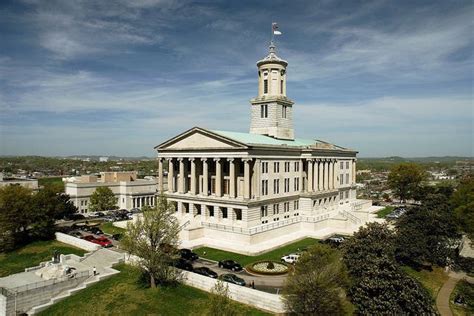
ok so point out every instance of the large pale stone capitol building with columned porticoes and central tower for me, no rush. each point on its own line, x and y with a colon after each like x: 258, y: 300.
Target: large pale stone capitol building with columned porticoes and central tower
x: 251, y: 192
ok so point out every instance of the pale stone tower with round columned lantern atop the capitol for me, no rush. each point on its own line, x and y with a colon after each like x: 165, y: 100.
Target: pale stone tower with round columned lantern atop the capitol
x: 271, y: 110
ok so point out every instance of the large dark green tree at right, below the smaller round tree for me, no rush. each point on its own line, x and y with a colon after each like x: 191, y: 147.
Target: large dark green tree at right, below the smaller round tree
x: 426, y: 234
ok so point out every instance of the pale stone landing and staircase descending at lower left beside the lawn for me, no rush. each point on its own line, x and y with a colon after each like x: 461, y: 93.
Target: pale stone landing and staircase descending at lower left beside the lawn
x: 102, y: 259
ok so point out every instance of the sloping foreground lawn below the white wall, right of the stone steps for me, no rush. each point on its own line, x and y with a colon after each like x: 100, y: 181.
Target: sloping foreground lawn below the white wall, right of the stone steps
x: 123, y: 294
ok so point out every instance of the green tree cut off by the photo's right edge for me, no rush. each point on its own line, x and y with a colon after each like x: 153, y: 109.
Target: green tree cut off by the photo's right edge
x: 463, y: 202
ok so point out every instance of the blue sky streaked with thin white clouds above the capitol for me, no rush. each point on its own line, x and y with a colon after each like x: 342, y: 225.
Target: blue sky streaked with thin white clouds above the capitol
x: 387, y: 78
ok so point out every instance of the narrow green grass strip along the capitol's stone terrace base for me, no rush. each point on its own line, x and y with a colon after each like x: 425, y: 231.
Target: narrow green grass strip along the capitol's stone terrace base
x: 217, y: 255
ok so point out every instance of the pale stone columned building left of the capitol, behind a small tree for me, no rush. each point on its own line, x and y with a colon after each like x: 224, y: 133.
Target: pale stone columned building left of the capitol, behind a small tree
x: 129, y: 191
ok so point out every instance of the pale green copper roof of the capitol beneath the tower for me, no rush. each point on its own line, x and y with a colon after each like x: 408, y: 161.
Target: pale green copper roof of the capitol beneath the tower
x: 257, y: 139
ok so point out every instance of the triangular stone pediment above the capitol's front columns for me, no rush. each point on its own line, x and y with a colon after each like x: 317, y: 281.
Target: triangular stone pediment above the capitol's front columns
x: 199, y: 138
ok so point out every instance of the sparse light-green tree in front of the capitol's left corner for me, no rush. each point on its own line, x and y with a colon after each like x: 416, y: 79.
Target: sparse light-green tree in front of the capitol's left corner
x: 153, y: 238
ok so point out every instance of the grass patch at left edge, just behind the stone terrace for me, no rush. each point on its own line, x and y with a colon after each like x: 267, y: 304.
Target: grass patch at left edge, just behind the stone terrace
x: 32, y: 254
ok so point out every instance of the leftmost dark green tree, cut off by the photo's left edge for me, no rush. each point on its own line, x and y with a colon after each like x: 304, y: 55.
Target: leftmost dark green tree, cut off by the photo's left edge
x: 16, y: 215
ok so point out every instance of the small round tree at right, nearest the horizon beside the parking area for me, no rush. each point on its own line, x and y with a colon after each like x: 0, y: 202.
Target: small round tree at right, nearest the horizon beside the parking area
x: 405, y: 178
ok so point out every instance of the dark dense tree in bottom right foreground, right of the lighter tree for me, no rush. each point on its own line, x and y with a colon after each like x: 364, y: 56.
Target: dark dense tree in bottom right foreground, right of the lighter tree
x: 379, y: 287
